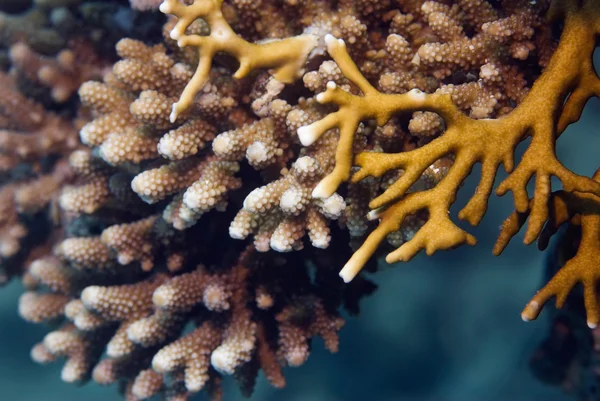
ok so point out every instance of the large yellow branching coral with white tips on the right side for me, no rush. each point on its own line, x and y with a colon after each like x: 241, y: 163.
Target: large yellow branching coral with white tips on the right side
x: 542, y: 115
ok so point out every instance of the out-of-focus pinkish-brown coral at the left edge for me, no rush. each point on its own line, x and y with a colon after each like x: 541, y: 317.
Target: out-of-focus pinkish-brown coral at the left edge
x: 33, y: 147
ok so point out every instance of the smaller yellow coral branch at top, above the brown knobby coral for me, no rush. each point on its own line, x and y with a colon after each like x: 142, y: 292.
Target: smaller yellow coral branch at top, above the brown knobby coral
x: 285, y: 56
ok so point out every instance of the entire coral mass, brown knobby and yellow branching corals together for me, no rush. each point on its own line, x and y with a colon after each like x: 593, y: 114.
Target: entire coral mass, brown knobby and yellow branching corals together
x: 183, y: 213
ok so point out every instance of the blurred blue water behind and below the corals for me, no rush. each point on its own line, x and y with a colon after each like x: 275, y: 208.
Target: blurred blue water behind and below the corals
x: 444, y: 328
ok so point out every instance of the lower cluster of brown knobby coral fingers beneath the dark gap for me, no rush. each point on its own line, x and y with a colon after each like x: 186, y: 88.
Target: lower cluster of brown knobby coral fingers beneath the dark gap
x: 246, y: 315
